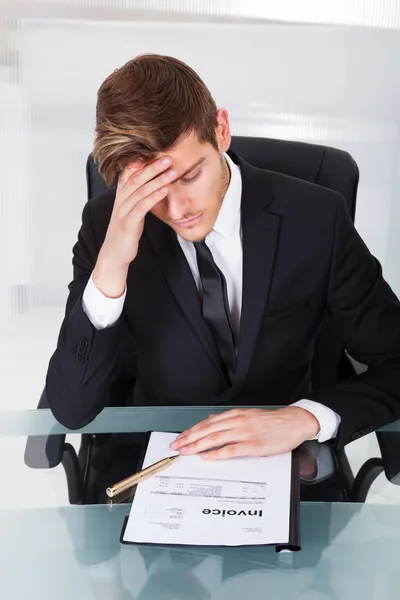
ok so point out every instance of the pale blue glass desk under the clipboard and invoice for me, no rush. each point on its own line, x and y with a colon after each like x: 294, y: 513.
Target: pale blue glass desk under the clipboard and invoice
x: 52, y: 549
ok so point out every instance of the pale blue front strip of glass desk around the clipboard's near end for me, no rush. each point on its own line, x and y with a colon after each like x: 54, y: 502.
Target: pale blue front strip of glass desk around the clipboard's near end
x: 350, y: 551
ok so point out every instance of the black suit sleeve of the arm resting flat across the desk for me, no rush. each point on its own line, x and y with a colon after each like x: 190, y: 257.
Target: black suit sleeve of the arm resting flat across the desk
x: 366, y: 313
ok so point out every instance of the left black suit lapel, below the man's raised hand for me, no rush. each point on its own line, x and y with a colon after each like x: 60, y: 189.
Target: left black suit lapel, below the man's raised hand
x: 180, y: 281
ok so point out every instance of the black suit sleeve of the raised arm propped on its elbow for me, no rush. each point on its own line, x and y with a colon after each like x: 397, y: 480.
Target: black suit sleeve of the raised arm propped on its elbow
x: 84, y: 366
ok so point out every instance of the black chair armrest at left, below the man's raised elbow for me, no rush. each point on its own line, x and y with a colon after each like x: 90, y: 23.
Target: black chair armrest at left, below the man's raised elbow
x: 44, y: 451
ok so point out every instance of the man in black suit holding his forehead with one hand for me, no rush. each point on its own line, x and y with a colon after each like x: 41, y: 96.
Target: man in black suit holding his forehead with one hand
x: 221, y: 274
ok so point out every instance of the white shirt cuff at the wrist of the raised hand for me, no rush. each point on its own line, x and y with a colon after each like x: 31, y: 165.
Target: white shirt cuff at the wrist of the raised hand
x: 101, y: 311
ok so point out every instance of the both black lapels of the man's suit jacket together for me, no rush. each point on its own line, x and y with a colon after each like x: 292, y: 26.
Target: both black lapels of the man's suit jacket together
x: 260, y: 236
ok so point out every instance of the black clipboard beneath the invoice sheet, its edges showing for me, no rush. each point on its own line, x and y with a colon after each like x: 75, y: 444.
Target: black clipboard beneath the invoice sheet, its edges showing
x: 294, y: 542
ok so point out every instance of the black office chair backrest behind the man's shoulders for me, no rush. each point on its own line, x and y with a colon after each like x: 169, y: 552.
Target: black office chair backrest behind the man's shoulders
x: 325, y: 166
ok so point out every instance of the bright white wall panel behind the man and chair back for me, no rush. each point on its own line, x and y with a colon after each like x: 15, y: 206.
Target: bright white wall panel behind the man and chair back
x: 326, y: 85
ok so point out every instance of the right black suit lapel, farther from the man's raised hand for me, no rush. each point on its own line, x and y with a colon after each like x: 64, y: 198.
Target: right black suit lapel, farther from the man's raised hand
x: 260, y: 234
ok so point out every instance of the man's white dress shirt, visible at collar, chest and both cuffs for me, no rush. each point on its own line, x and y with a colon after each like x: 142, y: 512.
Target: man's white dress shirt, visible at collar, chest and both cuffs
x: 225, y: 243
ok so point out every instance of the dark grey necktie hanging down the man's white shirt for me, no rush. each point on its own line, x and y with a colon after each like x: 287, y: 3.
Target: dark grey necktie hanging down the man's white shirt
x: 215, y: 307
